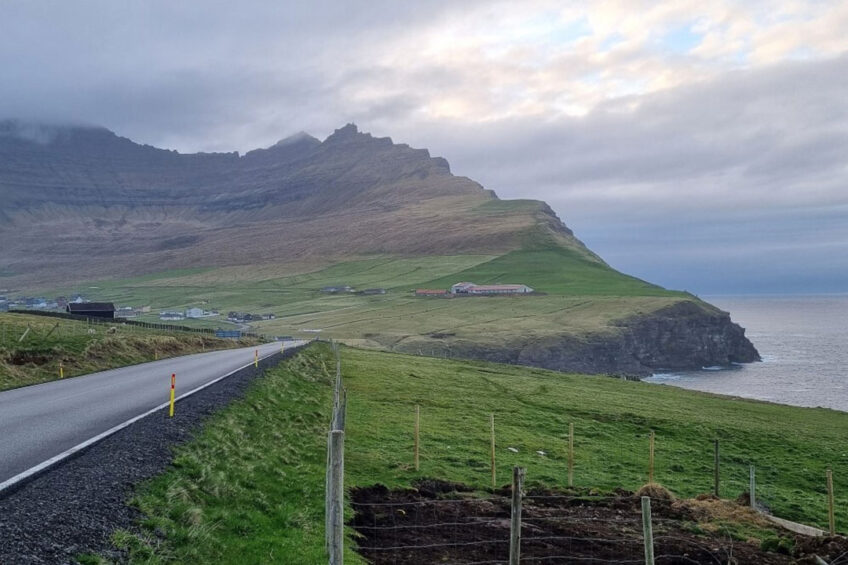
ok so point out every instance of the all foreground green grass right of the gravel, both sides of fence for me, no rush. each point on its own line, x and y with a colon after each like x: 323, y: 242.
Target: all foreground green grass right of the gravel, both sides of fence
x: 249, y: 488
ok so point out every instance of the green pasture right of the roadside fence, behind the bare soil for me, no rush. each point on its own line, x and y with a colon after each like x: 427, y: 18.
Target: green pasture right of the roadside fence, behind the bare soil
x: 790, y: 447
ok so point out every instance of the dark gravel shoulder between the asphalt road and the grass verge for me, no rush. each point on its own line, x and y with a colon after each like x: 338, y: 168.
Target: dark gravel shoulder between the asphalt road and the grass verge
x: 74, y: 507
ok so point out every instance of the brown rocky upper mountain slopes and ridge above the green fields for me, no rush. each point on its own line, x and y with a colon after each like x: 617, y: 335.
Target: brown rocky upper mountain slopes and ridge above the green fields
x: 121, y: 194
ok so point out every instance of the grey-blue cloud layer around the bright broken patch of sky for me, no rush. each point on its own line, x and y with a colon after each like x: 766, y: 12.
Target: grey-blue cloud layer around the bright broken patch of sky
x: 740, y: 175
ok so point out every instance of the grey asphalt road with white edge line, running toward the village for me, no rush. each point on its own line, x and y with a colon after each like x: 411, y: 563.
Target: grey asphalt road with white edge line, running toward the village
x: 44, y: 421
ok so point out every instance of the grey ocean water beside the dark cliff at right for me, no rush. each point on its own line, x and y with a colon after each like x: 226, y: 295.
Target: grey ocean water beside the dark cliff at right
x: 803, y: 341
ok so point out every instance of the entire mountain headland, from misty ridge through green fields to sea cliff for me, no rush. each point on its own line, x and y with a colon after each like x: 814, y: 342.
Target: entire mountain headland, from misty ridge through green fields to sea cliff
x: 84, y: 204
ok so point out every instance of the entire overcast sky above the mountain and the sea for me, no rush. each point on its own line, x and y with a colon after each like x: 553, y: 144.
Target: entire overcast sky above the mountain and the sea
x: 699, y: 145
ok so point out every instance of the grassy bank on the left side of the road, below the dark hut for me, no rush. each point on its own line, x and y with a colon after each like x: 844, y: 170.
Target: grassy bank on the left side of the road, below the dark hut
x: 85, y: 348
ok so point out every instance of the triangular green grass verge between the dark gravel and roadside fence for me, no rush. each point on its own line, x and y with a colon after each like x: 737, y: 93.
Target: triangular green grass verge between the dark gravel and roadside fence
x: 250, y: 487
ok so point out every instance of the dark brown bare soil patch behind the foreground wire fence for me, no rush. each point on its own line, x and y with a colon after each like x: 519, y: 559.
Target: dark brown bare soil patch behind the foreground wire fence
x: 447, y: 523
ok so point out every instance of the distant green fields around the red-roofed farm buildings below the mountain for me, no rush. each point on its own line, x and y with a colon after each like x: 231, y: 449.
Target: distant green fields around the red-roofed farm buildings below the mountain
x: 578, y: 296
